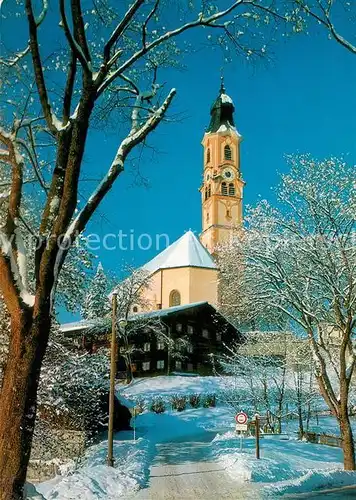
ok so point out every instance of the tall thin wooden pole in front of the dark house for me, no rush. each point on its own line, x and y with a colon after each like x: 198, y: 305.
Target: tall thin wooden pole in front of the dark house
x: 110, y: 458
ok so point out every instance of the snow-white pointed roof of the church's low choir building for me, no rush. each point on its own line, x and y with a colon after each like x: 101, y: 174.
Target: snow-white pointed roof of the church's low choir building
x: 187, y: 251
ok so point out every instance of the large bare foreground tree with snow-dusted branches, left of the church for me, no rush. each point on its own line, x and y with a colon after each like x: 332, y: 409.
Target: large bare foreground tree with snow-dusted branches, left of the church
x: 99, y: 61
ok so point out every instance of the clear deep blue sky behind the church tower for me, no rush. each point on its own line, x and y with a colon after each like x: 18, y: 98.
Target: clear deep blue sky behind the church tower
x: 304, y: 101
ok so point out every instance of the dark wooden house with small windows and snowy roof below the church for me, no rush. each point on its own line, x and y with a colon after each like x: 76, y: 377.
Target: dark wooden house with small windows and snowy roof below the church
x: 200, y: 326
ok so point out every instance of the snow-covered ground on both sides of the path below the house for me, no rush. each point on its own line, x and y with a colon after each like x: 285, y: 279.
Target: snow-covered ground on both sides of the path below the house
x: 286, y: 465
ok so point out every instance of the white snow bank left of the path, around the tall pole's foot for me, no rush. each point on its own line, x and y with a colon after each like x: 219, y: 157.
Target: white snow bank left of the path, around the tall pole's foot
x: 95, y: 480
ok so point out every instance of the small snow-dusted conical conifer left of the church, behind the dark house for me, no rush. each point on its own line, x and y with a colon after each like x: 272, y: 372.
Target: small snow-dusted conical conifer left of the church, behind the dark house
x: 96, y: 302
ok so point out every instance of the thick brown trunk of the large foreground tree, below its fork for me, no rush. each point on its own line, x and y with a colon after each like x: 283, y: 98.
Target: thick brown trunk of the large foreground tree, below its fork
x: 18, y: 400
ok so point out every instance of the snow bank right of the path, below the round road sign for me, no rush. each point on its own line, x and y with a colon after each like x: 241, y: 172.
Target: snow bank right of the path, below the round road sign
x: 289, y: 465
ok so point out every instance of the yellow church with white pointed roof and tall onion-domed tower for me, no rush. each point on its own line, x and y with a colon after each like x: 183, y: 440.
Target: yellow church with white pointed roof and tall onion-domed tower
x: 186, y: 272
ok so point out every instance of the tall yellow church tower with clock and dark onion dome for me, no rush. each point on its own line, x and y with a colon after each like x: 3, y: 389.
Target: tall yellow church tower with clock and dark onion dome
x: 222, y: 188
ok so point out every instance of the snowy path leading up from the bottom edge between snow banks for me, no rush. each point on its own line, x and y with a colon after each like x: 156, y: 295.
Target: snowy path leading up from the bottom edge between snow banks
x: 184, y: 470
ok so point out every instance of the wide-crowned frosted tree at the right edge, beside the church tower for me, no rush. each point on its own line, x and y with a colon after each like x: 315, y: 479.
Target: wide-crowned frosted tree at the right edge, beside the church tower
x: 301, y: 261
